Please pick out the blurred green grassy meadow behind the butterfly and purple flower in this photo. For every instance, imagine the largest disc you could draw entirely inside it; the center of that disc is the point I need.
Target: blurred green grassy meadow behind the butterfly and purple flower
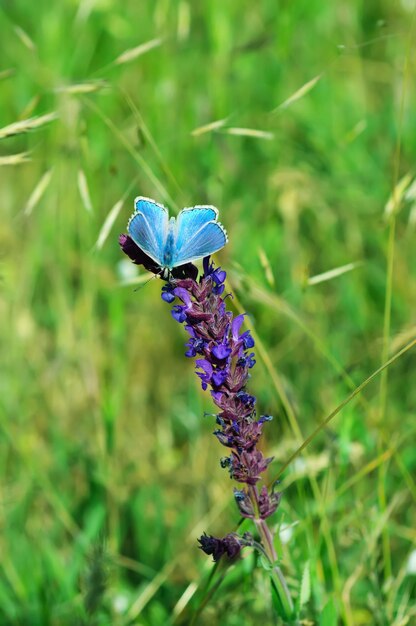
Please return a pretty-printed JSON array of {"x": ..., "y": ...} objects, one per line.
[{"x": 296, "y": 119}]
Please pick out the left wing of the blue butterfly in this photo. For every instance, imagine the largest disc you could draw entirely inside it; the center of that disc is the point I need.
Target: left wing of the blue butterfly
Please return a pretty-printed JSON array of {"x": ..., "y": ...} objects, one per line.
[{"x": 148, "y": 227}]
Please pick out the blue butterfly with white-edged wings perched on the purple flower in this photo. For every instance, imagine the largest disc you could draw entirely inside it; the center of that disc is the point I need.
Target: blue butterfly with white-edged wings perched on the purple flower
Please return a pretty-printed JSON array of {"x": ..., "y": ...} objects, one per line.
[{"x": 194, "y": 234}]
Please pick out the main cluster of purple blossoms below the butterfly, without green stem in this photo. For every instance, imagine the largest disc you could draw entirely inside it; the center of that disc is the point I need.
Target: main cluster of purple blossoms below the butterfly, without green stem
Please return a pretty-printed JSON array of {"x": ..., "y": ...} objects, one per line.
[{"x": 225, "y": 365}]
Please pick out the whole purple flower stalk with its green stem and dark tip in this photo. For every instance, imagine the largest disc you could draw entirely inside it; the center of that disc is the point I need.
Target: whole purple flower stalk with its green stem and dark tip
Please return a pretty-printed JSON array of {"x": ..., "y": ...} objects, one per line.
[{"x": 224, "y": 358}]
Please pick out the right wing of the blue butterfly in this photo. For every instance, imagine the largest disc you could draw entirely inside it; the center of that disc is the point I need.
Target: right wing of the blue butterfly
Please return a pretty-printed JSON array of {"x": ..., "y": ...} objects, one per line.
[{"x": 198, "y": 234}]
